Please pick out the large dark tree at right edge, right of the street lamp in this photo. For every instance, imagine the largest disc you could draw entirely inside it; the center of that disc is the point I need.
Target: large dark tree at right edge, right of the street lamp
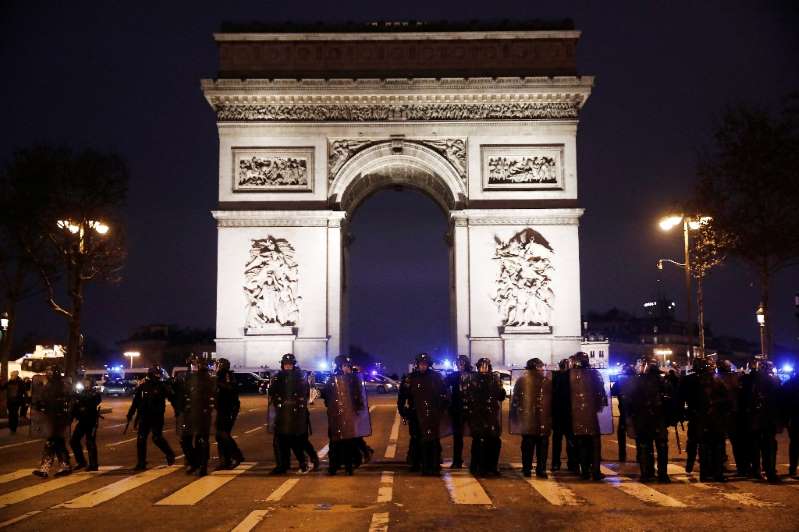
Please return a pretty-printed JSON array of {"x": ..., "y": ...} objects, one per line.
[{"x": 749, "y": 186}]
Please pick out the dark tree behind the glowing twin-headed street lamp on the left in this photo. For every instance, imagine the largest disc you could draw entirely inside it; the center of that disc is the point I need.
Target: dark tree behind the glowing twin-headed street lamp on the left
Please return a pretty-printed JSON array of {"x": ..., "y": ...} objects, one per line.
[{"x": 77, "y": 229}]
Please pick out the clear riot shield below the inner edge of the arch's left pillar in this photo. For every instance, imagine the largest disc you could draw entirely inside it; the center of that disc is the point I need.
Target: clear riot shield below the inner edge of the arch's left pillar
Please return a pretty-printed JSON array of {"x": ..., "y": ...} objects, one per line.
[{"x": 347, "y": 408}]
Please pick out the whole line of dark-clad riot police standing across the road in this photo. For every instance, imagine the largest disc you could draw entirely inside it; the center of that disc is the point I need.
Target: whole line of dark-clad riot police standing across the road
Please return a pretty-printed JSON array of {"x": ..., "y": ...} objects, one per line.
[{"x": 717, "y": 403}]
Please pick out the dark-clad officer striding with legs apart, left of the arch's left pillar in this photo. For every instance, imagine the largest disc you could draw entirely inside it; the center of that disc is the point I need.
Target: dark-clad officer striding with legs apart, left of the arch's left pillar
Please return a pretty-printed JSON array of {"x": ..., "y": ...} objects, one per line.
[{"x": 149, "y": 404}]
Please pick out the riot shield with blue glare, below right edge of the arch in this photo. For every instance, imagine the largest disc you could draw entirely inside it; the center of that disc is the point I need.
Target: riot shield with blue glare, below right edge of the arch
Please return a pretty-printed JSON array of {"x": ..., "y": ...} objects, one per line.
[{"x": 589, "y": 403}]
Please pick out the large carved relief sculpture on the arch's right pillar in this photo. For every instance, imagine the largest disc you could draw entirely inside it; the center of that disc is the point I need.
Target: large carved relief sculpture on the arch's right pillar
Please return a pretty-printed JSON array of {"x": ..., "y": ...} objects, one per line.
[{"x": 524, "y": 295}]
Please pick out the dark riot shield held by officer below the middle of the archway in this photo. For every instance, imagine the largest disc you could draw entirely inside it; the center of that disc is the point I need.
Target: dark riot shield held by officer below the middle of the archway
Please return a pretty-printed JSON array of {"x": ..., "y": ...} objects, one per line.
[{"x": 428, "y": 397}]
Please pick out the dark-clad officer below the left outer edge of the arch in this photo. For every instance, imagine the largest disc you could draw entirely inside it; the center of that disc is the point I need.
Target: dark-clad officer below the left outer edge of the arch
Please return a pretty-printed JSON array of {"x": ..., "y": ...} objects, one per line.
[{"x": 227, "y": 410}]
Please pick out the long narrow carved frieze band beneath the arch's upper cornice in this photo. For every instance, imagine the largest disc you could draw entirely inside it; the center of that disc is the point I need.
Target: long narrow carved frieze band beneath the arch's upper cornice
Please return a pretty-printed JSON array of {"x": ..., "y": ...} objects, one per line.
[{"x": 387, "y": 112}]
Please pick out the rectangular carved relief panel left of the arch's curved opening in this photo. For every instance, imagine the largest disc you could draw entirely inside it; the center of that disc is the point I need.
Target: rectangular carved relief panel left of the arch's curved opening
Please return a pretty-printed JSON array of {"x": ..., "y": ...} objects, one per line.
[{"x": 272, "y": 169}]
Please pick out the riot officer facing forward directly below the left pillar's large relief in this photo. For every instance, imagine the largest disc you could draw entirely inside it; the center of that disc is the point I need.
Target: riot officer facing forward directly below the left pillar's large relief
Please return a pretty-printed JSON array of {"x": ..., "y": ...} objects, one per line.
[{"x": 288, "y": 414}]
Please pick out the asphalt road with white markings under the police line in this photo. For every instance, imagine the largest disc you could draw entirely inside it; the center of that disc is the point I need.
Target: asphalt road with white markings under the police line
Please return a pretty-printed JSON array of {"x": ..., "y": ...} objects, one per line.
[{"x": 380, "y": 496}]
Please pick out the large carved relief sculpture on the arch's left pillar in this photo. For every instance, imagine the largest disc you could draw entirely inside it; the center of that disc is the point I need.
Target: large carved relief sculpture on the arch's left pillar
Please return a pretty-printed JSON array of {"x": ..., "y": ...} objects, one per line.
[{"x": 271, "y": 284}]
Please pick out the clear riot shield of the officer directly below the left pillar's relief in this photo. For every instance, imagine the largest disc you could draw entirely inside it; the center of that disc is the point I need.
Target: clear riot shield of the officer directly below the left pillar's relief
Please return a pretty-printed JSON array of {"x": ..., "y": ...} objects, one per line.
[{"x": 287, "y": 404}]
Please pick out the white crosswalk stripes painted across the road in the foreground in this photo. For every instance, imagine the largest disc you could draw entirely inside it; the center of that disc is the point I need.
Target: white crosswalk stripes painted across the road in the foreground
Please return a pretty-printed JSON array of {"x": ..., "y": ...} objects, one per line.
[{"x": 463, "y": 490}]
